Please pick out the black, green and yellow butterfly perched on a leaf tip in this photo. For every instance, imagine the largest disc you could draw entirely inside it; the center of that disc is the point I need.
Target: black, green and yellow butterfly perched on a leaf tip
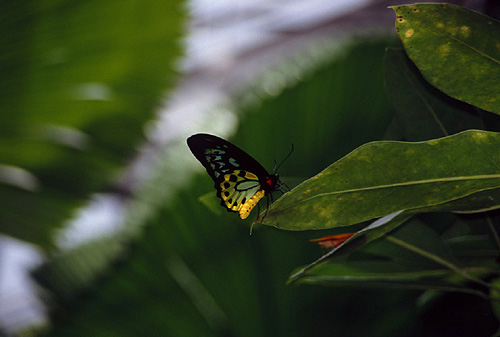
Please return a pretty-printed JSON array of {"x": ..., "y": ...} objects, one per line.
[{"x": 239, "y": 179}]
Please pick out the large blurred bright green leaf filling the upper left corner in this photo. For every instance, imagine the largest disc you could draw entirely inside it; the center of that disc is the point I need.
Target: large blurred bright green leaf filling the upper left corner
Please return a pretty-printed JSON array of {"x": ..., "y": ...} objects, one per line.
[{"x": 79, "y": 80}]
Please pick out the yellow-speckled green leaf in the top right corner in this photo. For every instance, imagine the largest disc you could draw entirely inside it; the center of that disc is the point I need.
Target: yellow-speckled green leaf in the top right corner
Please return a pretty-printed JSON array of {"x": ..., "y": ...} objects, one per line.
[{"x": 457, "y": 50}]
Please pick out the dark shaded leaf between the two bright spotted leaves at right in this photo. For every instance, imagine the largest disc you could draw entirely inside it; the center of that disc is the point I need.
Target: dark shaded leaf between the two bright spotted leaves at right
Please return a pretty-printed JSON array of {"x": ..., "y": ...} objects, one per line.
[{"x": 422, "y": 111}]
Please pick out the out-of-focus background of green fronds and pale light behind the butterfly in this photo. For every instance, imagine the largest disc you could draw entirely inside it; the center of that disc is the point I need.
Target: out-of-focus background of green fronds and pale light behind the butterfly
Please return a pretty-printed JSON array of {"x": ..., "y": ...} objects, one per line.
[{"x": 102, "y": 231}]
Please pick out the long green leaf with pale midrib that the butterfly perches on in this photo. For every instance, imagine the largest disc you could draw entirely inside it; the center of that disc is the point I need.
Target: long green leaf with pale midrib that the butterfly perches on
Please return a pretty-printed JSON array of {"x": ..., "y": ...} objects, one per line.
[{"x": 380, "y": 178}]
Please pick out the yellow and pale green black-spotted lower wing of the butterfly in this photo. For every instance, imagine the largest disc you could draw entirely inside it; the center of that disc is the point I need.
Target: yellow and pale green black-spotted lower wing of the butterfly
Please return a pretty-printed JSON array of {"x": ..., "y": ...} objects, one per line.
[{"x": 240, "y": 191}]
